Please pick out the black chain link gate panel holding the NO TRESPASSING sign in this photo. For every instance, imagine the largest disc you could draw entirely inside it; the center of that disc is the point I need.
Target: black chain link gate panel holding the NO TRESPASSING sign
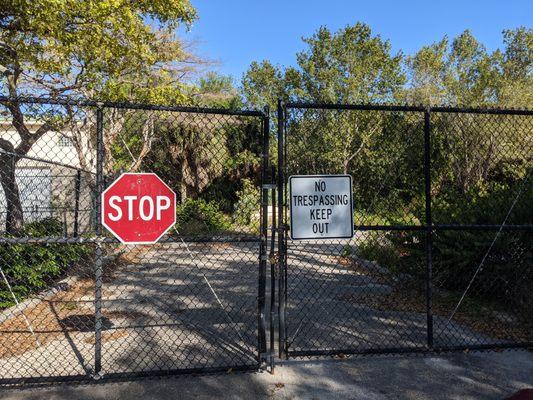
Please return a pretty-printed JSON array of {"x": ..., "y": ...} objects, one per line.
[{"x": 441, "y": 258}]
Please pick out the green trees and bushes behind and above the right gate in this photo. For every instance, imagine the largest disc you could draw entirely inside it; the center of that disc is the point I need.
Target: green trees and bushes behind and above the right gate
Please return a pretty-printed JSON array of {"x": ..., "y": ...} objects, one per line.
[{"x": 478, "y": 162}]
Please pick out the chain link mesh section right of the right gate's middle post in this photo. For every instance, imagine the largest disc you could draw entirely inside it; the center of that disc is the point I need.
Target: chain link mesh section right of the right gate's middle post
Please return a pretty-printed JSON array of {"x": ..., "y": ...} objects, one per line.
[{"x": 481, "y": 179}]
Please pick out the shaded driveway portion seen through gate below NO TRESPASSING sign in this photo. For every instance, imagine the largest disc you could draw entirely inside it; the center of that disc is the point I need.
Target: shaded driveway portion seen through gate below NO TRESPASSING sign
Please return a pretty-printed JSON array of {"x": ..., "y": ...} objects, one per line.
[{"x": 330, "y": 306}]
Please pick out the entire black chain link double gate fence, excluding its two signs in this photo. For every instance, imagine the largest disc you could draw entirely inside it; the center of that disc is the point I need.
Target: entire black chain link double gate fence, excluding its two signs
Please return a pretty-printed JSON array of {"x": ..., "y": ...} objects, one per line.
[{"x": 441, "y": 258}]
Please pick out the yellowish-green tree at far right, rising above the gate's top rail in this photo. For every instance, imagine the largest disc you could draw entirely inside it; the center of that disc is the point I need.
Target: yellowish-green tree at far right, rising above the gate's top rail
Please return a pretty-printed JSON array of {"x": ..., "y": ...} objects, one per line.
[{"x": 465, "y": 74}]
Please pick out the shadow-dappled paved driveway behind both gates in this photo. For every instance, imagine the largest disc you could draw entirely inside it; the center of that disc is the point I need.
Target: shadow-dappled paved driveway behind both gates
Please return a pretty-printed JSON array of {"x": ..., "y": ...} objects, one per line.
[{"x": 174, "y": 306}]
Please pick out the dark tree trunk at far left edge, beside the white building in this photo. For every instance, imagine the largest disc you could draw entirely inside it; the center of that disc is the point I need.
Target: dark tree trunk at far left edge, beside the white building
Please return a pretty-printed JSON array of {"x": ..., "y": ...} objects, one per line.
[{"x": 14, "y": 214}]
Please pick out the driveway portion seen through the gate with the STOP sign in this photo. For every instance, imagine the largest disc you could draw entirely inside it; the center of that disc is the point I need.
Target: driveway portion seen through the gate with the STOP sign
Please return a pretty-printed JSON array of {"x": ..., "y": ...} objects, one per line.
[{"x": 166, "y": 307}]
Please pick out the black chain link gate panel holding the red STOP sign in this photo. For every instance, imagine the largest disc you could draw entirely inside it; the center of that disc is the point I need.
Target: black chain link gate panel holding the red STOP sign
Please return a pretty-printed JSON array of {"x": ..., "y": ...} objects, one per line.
[{"x": 75, "y": 303}]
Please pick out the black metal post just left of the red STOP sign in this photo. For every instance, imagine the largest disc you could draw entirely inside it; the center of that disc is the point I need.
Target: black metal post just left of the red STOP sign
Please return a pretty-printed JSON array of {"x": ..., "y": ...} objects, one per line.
[{"x": 98, "y": 255}]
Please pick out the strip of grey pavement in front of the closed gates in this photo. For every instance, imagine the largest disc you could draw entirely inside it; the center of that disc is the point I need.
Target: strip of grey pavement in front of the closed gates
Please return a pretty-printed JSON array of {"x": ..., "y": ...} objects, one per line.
[{"x": 456, "y": 376}]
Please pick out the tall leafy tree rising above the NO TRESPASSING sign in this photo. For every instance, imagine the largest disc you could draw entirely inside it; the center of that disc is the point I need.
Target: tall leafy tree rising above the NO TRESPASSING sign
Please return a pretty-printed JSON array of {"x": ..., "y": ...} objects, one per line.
[{"x": 351, "y": 65}]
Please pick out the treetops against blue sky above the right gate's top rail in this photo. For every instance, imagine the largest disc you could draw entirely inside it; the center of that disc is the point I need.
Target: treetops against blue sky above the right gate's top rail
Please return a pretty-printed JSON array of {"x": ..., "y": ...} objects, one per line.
[{"x": 353, "y": 65}]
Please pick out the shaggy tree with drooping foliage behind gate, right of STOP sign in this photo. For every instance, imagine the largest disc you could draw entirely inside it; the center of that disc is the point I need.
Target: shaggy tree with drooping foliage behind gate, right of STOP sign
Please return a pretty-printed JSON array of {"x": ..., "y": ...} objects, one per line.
[{"x": 207, "y": 154}]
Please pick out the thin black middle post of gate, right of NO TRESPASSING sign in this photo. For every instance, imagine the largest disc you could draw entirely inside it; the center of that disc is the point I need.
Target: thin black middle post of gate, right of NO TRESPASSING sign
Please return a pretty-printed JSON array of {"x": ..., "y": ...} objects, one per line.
[{"x": 429, "y": 226}]
